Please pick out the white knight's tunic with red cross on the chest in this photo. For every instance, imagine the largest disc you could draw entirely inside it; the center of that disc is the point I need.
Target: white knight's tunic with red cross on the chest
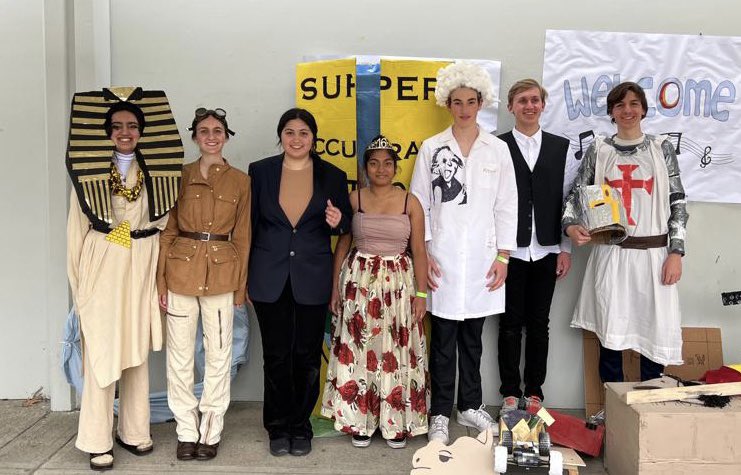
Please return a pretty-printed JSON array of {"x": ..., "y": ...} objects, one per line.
[{"x": 622, "y": 298}]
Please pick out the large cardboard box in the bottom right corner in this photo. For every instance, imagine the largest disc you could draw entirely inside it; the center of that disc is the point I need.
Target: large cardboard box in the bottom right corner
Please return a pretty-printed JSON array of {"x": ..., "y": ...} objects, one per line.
[{"x": 670, "y": 437}]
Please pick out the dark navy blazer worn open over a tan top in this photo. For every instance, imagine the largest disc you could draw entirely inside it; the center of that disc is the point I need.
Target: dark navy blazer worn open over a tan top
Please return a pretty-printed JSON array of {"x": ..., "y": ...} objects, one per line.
[{"x": 303, "y": 254}]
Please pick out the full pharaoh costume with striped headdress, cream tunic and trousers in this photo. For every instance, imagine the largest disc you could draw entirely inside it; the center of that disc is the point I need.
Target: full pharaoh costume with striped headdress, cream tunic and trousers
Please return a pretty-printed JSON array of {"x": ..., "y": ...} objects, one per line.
[{"x": 112, "y": 247}]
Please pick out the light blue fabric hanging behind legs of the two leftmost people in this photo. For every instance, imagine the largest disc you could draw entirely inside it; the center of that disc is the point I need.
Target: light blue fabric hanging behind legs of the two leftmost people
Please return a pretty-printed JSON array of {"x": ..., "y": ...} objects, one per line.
[{"x": 159, "y": 411}]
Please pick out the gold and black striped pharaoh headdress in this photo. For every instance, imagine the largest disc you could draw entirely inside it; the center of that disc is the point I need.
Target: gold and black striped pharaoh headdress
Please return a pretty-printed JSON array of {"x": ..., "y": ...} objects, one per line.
[{"x": 159, "y": 152}]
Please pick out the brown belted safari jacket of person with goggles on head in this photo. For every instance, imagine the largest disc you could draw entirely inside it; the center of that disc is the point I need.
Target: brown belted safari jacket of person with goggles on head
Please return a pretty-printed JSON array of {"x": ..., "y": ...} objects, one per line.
[{"x": 217, "y": 205}]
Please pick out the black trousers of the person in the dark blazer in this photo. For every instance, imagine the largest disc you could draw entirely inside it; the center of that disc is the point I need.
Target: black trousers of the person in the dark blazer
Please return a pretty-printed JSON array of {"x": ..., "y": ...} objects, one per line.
[{"x": 292, "y": 336}]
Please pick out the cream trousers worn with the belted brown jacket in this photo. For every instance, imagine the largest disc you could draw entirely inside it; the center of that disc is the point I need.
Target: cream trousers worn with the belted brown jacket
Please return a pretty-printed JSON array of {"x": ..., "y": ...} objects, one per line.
[{"x": 217, "y": 313}]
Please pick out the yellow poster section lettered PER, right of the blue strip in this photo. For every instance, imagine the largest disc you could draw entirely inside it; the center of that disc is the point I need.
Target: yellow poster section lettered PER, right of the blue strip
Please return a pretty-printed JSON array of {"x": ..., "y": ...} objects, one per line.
[{"x": 409, "y": 114}]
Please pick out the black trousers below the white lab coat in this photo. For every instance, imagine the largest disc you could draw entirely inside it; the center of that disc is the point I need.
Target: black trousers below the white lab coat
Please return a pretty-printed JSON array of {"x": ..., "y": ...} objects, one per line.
[{"x": 449, "y": 337}]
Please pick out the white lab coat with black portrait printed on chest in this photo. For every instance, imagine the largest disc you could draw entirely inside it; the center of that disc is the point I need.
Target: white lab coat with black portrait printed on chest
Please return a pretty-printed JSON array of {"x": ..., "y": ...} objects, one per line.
[{"x": 468, "y": 219}]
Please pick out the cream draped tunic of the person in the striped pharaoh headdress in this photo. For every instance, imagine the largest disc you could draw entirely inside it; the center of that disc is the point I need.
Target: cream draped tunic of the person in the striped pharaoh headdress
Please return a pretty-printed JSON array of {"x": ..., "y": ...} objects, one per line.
[{"x": 114, "y": 287}]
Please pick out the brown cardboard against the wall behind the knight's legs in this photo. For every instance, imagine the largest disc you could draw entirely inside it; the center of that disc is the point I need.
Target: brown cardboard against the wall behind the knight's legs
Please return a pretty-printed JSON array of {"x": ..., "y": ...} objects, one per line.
[{"x": 701, "y": 350}]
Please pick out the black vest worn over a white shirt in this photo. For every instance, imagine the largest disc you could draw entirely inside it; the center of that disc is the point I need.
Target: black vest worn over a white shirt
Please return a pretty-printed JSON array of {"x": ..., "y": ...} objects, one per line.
[{"x": 541, "y": 189}]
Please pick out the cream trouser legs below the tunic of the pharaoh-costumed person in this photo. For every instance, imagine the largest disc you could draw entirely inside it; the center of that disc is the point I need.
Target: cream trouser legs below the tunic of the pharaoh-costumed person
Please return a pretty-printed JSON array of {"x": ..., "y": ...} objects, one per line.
[{"x": 94, "y": 433}]
